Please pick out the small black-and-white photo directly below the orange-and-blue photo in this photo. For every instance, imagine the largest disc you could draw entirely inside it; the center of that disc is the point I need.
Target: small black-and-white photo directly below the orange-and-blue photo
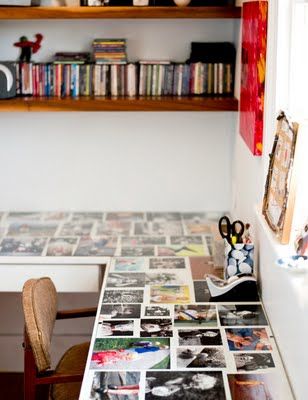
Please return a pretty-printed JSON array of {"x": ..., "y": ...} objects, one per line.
[{"x": 246, "y": 362}]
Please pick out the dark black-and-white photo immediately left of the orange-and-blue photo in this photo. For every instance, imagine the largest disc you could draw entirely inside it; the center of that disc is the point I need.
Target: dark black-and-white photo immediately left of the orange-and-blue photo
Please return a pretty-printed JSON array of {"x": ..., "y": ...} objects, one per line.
[{"x": 199, "y": 337}]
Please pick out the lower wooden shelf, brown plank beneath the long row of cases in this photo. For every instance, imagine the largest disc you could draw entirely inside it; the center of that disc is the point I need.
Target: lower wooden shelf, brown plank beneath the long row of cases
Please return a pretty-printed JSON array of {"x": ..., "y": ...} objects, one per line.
[{"x": 120, "y": 104}]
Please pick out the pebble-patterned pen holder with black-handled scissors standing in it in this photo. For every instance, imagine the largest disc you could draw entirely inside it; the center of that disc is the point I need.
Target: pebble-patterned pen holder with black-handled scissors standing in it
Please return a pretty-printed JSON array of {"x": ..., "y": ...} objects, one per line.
[{"x": 239, "y": 259}]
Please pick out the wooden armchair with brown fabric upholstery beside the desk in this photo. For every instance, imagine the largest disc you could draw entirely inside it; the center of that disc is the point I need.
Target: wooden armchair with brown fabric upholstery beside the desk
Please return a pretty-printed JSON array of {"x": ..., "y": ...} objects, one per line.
[{"x": 40, "y": 312}]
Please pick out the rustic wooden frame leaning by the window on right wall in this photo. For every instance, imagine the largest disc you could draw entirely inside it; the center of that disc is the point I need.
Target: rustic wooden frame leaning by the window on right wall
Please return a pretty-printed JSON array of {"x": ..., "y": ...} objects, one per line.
[{"x": 279, "y": 196}]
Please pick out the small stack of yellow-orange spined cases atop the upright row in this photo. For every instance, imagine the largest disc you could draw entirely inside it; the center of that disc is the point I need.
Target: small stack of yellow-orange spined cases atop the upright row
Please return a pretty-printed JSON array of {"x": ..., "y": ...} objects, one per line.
[{"x": 110, "y": 51}]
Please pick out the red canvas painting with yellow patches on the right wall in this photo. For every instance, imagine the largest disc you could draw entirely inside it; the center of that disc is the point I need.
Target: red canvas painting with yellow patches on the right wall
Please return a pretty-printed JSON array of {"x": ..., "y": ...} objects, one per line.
[{"x": 254, "y": 32}]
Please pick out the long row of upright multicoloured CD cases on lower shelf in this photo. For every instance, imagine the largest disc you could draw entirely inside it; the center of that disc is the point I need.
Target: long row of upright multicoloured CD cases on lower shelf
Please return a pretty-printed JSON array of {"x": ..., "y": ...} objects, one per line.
[{"x": 144, "y": 79}]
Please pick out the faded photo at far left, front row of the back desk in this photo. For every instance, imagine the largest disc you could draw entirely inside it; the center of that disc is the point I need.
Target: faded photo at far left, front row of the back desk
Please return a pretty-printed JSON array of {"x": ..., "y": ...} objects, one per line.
[{"x": 22, "y": 246}]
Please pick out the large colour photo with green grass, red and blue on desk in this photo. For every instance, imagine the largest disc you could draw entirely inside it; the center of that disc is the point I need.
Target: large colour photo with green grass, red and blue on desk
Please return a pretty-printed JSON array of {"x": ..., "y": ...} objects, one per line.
[{"x": 131, "y": 354}]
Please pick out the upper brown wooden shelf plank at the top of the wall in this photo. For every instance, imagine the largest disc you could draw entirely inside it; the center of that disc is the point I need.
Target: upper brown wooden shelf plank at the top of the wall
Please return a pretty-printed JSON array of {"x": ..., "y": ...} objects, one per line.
[{"x": 118, "y": 12}]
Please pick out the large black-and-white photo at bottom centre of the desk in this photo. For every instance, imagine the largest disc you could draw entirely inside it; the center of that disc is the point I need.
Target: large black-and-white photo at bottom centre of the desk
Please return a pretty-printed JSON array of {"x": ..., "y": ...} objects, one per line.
[{"x": 184, "y": 385}]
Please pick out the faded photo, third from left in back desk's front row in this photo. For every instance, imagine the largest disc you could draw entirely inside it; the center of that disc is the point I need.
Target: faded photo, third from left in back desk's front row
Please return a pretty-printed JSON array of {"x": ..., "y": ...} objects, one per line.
[{"x": 95, "y": 247}]
